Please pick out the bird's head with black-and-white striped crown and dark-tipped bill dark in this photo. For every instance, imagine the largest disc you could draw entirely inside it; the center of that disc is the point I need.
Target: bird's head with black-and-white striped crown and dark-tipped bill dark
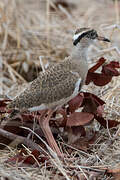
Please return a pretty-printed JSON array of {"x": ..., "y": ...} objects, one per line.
[{"x": 86, "y": 36}]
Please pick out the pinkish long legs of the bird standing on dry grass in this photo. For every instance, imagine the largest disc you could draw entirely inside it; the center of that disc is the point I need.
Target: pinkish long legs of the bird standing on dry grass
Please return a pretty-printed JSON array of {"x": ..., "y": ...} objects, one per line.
[{"x": 44, "y": 124}]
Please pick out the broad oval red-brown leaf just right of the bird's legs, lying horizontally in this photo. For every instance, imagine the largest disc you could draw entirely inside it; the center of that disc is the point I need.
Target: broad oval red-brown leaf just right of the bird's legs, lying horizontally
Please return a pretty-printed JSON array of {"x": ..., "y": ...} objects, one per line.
[{"x": 79, "y": 118}]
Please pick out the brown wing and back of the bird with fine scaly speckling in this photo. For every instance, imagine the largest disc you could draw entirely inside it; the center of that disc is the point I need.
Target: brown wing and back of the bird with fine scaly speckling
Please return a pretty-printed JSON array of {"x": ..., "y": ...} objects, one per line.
[{"x": 53, "y": 85}]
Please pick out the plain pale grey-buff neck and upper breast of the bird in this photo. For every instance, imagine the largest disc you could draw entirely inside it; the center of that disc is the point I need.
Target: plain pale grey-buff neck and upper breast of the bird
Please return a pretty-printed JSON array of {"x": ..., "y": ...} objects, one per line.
[{"x": 79, "y": 57}]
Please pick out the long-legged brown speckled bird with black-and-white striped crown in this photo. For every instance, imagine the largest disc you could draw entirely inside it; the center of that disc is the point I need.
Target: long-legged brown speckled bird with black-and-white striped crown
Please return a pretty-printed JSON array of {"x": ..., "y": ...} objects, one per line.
[{"x": 58, "y": 84}]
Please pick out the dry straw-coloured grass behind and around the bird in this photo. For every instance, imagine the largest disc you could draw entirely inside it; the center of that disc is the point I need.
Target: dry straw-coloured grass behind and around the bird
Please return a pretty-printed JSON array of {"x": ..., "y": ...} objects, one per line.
[{"x": 28, "y": 30}]
